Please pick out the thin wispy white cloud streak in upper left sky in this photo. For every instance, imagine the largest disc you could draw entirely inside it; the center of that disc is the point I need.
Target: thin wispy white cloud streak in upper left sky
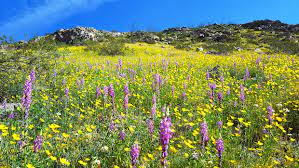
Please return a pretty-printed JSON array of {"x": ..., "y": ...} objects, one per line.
[{"x": 47, "y": 13}]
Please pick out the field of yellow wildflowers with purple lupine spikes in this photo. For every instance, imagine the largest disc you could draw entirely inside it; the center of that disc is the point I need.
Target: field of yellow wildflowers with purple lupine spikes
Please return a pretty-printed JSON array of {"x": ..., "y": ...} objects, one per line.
[{"x": 156, "y": 106}]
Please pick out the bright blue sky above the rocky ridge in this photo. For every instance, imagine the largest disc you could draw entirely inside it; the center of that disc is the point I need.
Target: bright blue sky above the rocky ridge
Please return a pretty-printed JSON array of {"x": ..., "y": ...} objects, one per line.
[{"x": 37, "y": 17}]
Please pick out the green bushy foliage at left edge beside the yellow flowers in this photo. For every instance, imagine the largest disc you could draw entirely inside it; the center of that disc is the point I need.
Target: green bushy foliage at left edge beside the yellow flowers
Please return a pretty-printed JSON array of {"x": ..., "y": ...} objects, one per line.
[{"x": 15, "y": 64}]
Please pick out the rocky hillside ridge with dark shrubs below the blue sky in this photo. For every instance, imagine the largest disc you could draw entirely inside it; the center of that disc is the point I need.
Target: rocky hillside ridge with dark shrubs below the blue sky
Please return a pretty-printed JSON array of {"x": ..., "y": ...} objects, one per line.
[{"x": 261, "y": 35}]
